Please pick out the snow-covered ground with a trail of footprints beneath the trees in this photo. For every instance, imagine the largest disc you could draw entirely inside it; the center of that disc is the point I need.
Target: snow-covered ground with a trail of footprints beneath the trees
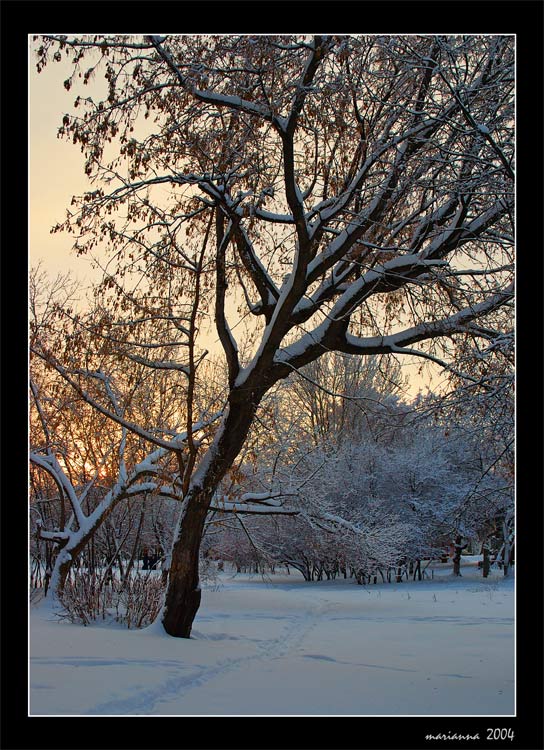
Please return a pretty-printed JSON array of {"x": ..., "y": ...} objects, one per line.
[{"x": 282, "y": 646}]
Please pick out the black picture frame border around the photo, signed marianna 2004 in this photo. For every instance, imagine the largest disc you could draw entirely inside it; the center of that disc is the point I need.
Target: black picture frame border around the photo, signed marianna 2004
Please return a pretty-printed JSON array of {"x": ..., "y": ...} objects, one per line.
[{"x": 19, "y": 18}]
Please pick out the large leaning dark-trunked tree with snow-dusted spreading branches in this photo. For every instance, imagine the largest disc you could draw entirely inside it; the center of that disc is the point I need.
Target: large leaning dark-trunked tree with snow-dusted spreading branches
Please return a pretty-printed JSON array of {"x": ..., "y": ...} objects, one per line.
[{"x": 349, "y": 194}]
